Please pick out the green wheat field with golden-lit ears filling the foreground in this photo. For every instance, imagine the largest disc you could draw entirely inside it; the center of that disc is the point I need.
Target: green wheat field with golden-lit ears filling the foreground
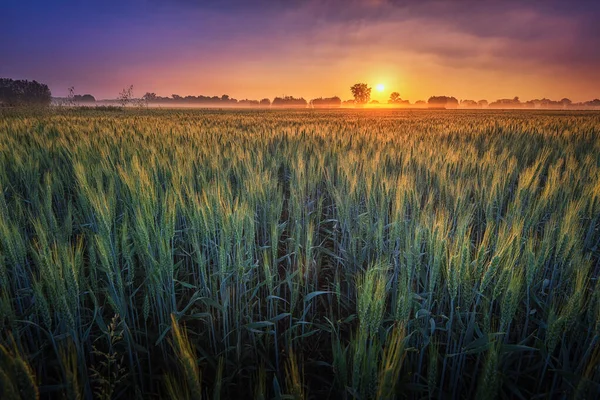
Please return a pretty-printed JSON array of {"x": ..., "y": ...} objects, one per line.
[{"x": 299, "y": 254}]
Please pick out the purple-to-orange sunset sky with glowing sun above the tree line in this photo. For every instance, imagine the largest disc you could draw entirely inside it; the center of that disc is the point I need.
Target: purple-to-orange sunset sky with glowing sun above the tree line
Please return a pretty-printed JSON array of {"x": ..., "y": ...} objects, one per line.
[{"x": 253, "y": 49}]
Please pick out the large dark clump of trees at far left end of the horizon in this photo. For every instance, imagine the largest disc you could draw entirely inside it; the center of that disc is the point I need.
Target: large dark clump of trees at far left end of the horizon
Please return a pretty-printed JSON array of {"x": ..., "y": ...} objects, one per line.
[{"x": 23, "y": 92}]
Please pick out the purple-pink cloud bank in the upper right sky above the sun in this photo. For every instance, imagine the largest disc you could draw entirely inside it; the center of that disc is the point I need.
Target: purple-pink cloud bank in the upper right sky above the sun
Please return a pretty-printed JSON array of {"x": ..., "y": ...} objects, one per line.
[{"x": 508, "y": 32}]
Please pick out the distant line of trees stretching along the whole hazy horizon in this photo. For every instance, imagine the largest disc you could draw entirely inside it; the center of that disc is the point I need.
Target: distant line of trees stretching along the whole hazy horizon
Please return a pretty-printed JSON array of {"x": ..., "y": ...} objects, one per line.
[{"x": 23, "y": 92}]
